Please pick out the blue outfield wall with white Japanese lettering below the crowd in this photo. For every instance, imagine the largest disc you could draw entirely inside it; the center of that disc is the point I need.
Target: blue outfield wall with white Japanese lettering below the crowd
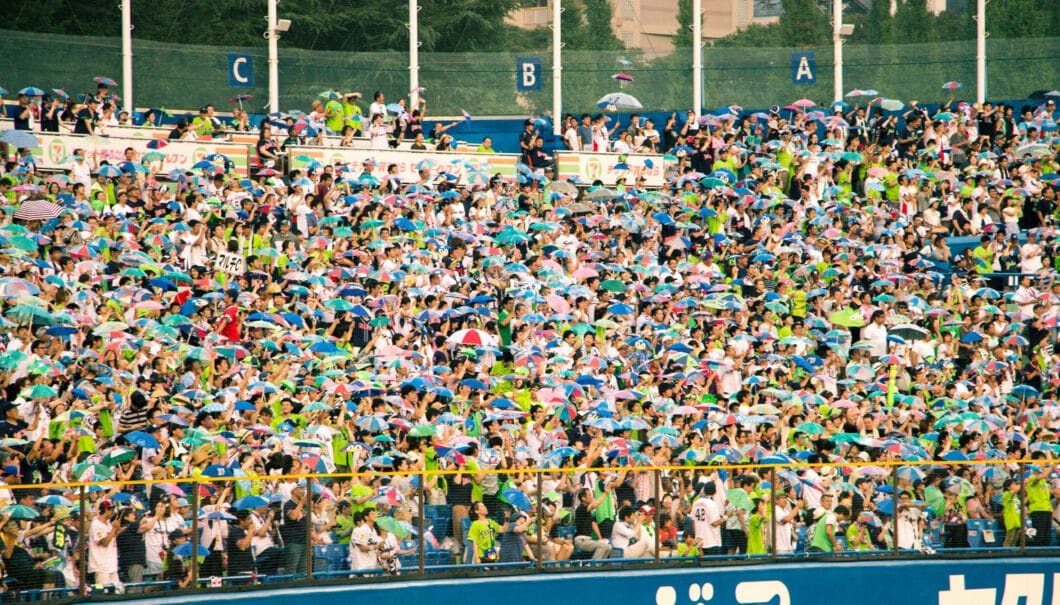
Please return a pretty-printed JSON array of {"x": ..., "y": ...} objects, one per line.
[{"x": 971, "y": 582}]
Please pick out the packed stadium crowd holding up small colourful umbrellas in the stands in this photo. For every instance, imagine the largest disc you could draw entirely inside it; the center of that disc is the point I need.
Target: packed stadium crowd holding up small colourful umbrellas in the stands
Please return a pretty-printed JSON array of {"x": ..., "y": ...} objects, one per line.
[{"x": 788, "y": 297}]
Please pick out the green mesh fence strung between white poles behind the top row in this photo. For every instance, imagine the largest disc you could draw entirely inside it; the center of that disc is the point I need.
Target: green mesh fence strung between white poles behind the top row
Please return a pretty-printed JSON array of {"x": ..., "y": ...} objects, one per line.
[{"x": 485, "y": 84}]
